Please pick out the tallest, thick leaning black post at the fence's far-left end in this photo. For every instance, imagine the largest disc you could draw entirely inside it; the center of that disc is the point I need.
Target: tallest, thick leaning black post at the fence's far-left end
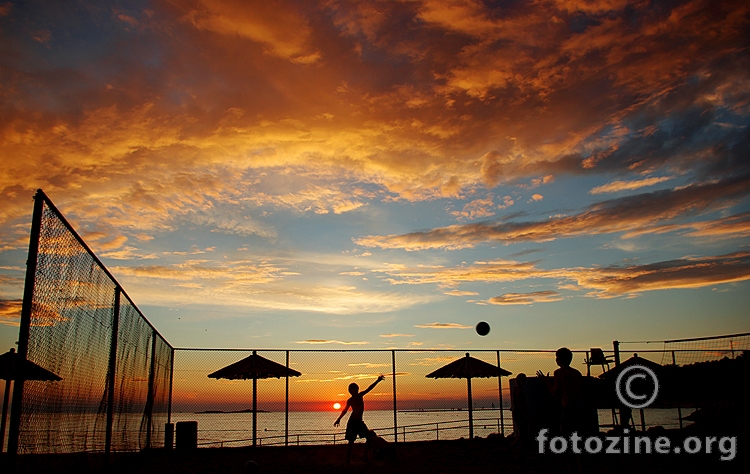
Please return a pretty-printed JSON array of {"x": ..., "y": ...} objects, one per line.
[{"x": 24, "y": 329}]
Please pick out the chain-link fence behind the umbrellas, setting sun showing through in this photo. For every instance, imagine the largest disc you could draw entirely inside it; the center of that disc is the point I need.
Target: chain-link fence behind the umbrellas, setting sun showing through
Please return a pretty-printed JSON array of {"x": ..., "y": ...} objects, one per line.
[{"x": 406, "y": 406}]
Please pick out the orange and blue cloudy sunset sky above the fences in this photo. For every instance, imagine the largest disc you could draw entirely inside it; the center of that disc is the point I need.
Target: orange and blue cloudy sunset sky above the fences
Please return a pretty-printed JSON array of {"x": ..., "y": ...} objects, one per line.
[{"x": 348, "y": 174}]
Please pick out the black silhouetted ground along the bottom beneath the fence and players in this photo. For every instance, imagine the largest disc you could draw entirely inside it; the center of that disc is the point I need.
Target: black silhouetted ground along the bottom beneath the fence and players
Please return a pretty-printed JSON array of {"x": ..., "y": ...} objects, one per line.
[{"x": 458, "y": 456}]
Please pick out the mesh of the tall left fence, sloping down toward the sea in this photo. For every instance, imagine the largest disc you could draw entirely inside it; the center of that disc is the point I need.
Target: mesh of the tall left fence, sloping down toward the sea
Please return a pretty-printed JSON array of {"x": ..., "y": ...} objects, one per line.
[{"x": 71, "y": 335}]
